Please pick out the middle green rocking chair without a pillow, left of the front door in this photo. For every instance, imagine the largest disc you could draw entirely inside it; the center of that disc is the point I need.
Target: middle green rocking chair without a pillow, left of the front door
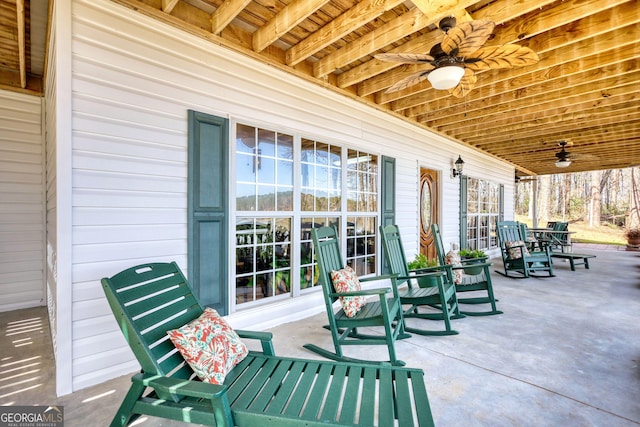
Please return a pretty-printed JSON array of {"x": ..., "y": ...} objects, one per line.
[{"x": 439, "y": 293}]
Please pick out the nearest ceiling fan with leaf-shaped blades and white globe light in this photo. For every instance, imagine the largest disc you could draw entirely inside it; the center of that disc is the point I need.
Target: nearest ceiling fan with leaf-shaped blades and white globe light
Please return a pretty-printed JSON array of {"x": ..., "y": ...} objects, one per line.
[{"x": 454, "y": 61}]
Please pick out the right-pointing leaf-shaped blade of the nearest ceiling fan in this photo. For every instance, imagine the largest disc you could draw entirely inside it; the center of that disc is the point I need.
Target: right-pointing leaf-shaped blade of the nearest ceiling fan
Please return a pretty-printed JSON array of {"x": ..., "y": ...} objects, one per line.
[{"x": 496, "y": 57}]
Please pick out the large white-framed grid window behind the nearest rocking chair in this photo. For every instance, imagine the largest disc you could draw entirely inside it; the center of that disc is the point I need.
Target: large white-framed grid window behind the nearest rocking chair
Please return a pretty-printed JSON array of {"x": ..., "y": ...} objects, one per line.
[{"x": 271, "y": 202}]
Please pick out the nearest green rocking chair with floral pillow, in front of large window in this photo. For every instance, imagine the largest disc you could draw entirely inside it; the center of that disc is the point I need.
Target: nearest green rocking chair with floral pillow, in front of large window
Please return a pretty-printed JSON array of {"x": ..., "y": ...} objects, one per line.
[{"x": 384, "y": 311}]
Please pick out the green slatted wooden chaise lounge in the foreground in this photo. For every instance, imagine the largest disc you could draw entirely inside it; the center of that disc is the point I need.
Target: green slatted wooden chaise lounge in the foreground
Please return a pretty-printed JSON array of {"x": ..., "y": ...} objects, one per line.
[{"x": 263, "y": 389}]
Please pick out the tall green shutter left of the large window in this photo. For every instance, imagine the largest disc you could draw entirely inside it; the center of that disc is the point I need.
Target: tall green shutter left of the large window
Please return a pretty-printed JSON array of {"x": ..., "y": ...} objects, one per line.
[{"x": 208, "y": 209}]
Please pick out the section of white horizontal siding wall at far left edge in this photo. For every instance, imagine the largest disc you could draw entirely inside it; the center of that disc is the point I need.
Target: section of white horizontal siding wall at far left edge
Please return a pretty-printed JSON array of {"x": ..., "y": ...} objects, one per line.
[{"x": 21, "y": 202}]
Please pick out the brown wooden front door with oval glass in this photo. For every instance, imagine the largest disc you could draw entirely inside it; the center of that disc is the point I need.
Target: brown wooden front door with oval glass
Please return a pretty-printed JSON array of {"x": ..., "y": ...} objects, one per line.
[{"x": 428, "y": 210}]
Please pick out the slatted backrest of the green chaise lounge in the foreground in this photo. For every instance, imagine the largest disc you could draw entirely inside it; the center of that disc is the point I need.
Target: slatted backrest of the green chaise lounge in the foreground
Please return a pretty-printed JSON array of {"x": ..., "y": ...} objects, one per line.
[{"x": 147, "y": 301}]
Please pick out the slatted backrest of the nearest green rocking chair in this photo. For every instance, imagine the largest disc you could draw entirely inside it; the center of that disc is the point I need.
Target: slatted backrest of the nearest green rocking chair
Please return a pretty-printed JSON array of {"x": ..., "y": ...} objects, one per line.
[{"x": 327, "y": 249}]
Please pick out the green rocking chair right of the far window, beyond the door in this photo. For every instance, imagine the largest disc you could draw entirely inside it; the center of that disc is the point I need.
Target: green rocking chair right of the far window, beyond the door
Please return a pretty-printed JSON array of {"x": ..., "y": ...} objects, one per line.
[{"x": 515, "y": 255}]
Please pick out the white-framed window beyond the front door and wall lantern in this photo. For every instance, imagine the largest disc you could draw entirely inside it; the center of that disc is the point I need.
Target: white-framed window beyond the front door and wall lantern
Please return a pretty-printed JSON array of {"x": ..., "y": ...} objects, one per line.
[{"x": 483, "y": 212}]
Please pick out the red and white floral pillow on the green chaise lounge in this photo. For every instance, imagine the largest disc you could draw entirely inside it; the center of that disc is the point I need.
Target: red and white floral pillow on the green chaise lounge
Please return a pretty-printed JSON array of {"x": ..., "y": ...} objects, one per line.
[{"x": 210, "y": 346}]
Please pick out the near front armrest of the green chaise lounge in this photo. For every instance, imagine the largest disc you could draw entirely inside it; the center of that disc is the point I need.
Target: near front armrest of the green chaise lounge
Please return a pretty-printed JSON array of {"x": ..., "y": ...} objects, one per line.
[{"x": 179, "y": 388}]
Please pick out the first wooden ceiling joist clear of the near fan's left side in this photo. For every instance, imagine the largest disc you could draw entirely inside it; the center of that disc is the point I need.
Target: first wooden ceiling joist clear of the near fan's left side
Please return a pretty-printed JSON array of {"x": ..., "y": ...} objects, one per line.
[{"x": 354, "y": 18}]
